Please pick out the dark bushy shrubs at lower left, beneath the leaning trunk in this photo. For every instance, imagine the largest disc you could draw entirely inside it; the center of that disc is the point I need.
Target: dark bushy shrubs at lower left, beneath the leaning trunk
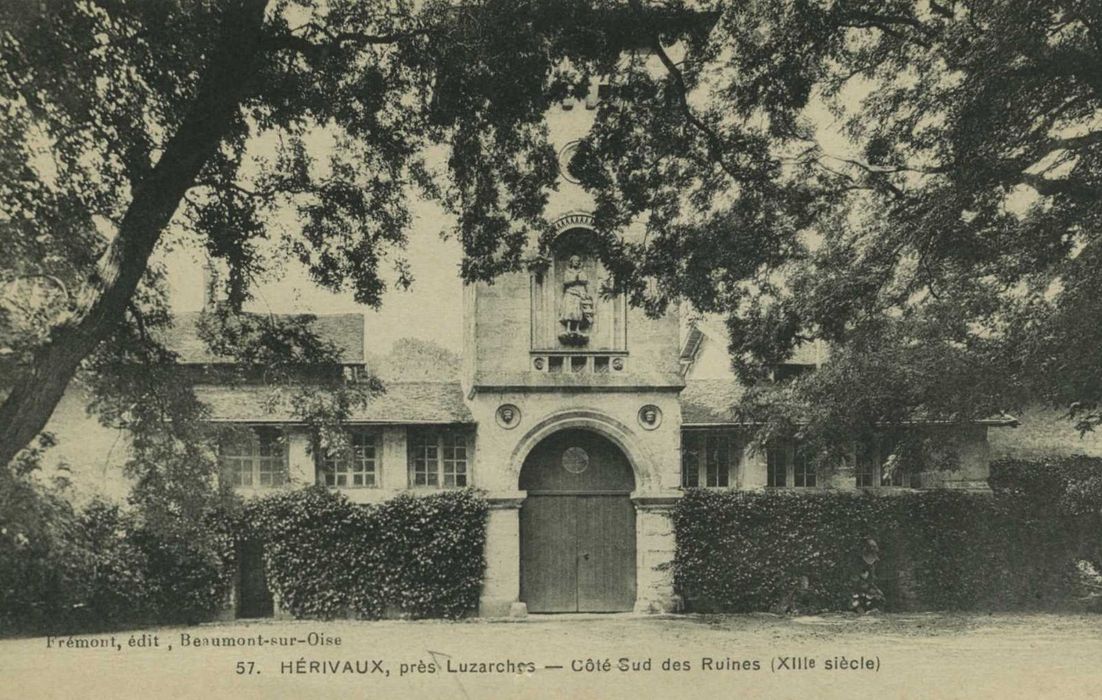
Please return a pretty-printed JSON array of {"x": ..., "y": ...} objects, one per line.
[{"x": 102, "y": 568}]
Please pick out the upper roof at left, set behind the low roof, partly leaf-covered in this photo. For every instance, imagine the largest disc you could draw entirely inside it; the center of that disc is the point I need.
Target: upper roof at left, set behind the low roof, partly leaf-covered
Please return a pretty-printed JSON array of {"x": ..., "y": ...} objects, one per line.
[{"x": 344, "y": 330}]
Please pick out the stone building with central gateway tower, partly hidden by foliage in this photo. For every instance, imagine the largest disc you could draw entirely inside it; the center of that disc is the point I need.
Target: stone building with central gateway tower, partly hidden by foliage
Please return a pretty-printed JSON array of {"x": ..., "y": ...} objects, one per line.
[{"x": 582, "y": 421}]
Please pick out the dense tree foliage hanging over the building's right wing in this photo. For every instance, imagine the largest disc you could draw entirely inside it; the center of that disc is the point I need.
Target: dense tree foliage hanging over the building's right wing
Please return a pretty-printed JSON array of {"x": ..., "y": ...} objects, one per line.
[{"x": 915, "y": 184}]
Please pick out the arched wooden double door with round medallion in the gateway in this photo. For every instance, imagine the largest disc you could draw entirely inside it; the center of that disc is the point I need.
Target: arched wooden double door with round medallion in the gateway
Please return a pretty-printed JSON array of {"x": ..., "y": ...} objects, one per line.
[{"x": 577, "y": 526}]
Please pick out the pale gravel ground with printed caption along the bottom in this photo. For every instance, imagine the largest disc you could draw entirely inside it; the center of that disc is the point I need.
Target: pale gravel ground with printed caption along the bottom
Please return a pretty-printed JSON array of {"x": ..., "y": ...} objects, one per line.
[{"x": 898, "y": 656}]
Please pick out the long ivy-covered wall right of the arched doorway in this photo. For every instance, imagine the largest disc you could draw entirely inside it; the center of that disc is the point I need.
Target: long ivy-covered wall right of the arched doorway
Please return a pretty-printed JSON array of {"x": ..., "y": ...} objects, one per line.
[{"x": 1028, "y": 546}]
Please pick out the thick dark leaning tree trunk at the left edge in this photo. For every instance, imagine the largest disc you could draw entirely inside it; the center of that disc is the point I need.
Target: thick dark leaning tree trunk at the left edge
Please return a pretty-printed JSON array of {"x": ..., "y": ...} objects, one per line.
[{"x": 38, "y": 391}]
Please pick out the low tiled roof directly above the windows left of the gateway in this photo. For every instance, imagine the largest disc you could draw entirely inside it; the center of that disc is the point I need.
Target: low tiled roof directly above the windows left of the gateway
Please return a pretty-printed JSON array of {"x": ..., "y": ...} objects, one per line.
[{"x": 403, "y": 403}]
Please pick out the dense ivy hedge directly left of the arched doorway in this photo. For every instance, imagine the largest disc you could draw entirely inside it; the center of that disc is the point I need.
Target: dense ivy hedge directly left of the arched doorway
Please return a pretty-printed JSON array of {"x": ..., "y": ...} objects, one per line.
[{"x": 329, "y": 558}]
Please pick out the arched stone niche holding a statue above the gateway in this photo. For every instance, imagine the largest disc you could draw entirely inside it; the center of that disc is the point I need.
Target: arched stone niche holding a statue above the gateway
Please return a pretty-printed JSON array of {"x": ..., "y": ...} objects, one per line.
[{"x": 570, "y": 313}]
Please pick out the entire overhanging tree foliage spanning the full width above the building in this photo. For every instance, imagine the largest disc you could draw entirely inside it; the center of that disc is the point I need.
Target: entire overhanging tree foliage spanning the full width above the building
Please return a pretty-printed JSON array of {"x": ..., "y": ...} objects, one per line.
[{"x": 914, "y": 182}]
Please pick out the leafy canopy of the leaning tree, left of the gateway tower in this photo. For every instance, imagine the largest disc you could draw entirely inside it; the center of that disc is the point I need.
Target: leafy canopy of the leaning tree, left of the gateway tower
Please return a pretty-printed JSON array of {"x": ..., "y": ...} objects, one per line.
[{"x": 136, "y": 126}]
